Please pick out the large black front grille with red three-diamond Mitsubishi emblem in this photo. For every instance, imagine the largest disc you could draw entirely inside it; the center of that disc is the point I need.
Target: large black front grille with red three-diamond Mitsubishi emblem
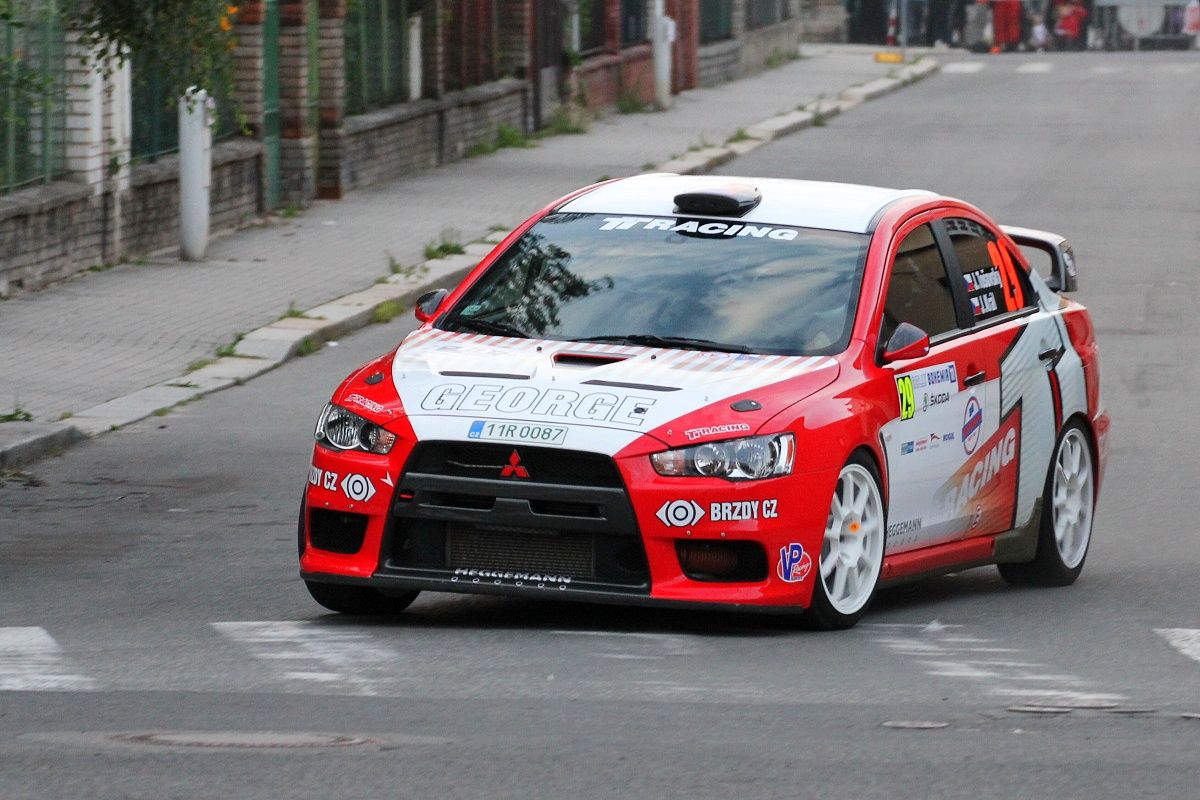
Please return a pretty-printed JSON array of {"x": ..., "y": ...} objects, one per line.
[{"x": 572, "y": 519}]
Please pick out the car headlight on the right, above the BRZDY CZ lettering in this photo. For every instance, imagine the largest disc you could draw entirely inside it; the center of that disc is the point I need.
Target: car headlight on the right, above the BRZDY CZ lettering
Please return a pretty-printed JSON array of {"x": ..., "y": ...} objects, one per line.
[{"x": 737, "y": 460}]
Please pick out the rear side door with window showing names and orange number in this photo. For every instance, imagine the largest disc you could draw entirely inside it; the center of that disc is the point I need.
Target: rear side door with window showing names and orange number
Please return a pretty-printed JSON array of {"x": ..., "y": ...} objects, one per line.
[{"x": 1006, "y": 462}]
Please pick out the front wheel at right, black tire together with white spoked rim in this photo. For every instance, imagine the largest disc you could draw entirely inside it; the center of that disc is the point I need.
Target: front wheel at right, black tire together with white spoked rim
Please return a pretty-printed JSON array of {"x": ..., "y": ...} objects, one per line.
[{"x": 853, "y": 550}]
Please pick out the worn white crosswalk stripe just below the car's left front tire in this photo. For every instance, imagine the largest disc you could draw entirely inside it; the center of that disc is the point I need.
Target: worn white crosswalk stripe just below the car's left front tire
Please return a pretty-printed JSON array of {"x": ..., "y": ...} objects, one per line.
[{"x": 319, "y": 654}]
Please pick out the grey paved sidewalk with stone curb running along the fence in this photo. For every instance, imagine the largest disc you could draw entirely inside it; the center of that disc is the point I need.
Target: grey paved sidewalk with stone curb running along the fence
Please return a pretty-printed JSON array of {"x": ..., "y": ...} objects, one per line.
[{"x": 106, "y": 350}]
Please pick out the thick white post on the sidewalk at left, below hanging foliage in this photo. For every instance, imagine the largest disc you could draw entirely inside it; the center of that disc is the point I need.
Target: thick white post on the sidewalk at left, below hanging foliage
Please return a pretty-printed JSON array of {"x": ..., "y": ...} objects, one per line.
[{"x": 195, "y": 173}]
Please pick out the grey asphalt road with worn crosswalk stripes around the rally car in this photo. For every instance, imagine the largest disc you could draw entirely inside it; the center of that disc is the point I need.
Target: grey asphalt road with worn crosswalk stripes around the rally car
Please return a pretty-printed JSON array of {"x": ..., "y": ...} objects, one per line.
[{"x": 148, "y": 584}]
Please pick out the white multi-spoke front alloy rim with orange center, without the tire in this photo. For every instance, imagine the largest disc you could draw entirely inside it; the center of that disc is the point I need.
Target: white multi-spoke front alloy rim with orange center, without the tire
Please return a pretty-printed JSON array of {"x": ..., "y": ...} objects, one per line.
[{"x": 853, "y": 551}]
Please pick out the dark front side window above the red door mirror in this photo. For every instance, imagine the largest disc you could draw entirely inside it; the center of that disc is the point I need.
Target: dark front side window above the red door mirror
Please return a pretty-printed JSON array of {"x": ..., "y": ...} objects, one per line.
[{"x": 920, "y": 292}]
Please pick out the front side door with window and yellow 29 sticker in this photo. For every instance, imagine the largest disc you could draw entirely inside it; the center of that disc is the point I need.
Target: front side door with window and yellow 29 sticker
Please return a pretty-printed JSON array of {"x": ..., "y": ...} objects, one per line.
[{"x": 939, "y": 395}]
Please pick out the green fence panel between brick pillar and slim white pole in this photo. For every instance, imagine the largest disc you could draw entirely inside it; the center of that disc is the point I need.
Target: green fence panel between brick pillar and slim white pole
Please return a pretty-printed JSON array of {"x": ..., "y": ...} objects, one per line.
[{"x": 376, "y": 55}]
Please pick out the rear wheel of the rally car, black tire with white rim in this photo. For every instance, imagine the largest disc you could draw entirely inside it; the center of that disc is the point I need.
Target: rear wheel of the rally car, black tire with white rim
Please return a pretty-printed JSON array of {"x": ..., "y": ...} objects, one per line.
[{"x": 1069, "y": 503}]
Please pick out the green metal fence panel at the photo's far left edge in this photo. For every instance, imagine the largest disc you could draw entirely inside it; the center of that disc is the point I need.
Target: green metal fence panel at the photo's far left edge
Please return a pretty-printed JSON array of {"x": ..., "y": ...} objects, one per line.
[{"x": 33, "y": 111}]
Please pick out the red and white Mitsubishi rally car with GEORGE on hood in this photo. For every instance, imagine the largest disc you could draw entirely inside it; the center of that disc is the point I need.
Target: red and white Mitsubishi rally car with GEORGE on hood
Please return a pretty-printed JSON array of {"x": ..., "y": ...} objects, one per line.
[{"x": 721, "y": 392}]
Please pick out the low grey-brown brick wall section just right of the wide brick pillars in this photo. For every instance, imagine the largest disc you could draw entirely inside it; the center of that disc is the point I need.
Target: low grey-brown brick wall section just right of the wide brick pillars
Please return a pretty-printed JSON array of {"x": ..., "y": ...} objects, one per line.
[{"x": 398, "y": 141}]
